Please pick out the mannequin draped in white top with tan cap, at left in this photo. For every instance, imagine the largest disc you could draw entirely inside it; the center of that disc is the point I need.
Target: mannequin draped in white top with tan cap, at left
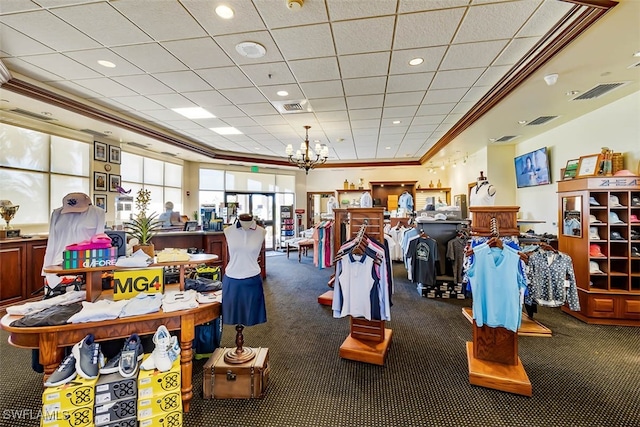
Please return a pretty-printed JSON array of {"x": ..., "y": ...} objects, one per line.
[{"x": 76, "y": 221}]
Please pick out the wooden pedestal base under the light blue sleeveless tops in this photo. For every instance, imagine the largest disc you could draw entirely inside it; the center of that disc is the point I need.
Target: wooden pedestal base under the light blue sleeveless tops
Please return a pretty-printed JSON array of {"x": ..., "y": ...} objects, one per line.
[{"x": 494, "y": 363}]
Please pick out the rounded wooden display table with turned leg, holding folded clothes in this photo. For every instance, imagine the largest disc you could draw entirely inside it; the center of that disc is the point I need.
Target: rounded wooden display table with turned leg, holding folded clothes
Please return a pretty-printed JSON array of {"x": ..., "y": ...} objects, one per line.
[{"x": 51, "y": 340}]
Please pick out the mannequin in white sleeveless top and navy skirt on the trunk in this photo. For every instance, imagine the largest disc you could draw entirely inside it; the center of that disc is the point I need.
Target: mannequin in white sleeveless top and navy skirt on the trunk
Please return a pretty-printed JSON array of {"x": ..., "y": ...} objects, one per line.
[{"x": 243, "y": 301}]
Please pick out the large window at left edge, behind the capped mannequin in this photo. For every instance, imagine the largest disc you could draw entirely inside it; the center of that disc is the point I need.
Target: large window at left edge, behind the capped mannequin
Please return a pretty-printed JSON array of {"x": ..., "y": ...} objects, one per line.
[{"x": 37, "y": 170}]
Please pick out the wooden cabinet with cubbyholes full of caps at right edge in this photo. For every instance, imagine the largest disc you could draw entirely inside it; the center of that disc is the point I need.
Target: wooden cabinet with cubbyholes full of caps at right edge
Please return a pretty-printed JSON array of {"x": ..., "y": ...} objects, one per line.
[{"x": 601, "y": 233}]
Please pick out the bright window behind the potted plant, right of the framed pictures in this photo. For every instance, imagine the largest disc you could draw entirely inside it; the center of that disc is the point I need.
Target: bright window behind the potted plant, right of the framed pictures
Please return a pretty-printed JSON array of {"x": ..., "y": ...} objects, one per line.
[{"x": 162, "y": 179}]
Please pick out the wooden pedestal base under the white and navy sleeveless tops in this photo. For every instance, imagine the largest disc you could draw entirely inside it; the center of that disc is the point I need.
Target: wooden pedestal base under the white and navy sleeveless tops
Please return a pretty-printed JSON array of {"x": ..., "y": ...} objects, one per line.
[{"x": 368, "y": 342}]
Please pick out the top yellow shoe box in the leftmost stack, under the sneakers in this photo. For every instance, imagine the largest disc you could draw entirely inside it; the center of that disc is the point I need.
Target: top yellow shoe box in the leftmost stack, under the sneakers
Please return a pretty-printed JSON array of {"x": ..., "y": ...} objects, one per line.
[{"x": 74, "y": 394}]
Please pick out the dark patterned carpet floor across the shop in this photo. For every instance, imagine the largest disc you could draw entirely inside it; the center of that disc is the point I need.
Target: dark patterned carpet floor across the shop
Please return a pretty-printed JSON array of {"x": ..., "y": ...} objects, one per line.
[{"x": 585, "y": 375}]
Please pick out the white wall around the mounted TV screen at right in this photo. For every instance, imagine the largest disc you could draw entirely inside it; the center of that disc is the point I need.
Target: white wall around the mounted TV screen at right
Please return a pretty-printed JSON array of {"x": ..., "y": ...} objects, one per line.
[{"x": 616, "y": 125}]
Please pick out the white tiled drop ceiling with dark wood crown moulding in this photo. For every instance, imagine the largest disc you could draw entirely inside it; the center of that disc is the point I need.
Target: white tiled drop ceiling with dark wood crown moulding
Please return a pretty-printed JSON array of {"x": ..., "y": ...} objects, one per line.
[{"x": 346, "y": 62}]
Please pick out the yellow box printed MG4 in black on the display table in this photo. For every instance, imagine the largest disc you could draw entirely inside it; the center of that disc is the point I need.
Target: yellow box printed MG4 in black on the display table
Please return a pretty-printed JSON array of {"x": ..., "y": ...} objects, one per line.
[{"x": 127, "y": 283}]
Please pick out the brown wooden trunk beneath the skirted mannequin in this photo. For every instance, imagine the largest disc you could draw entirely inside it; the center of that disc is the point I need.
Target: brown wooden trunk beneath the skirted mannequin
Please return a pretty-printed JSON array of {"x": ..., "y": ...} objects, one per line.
[{"x": 247, "y": 380}]
